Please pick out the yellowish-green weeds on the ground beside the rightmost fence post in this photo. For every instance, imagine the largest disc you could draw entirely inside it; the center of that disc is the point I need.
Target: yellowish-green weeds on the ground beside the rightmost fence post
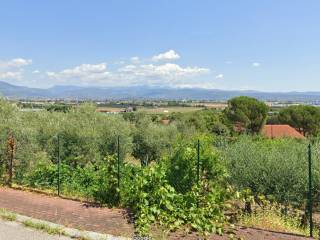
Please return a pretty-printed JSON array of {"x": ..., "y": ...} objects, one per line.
[{"x": 275, "y": 221}]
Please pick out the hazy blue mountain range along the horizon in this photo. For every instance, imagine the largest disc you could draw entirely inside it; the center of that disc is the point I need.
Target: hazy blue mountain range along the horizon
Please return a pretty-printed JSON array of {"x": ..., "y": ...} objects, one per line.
[{"x": 146, "y": 92}]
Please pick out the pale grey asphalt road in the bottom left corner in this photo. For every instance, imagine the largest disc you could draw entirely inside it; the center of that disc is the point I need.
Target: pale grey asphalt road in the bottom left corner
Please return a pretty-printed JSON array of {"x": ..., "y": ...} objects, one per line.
[{"x": 16, "y": 231}]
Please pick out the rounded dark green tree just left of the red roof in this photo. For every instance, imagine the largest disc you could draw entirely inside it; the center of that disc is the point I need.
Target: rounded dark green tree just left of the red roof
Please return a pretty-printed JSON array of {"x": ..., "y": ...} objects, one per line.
[{"x": 248, "y": 112}]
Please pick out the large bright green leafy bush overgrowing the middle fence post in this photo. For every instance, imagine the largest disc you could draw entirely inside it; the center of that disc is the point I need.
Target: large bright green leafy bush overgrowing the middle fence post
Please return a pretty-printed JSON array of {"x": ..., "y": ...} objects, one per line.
[{"x": 168, "y": 195}]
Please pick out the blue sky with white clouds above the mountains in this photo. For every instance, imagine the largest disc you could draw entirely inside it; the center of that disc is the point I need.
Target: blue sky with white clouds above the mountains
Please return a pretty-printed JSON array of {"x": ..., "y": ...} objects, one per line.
[{"x": 266, "y": 45}]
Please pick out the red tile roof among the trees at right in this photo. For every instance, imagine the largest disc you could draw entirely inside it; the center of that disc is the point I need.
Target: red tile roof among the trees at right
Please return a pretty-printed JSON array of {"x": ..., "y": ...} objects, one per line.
[{"x": 280, "y": 131}]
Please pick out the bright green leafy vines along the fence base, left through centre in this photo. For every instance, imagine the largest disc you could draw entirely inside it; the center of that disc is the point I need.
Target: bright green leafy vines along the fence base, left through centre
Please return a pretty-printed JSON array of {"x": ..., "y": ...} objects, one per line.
[{"x": 155, "y": 194}]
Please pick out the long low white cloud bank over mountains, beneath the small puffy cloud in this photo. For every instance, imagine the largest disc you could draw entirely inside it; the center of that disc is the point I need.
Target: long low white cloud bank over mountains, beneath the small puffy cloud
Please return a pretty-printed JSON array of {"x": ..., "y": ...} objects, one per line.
[{"x": 133, "y": 74}]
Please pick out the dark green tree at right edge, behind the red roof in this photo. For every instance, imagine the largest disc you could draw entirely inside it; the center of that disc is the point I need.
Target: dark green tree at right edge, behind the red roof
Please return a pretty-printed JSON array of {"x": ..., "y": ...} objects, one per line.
[{"x": 304, "y": 118}]
